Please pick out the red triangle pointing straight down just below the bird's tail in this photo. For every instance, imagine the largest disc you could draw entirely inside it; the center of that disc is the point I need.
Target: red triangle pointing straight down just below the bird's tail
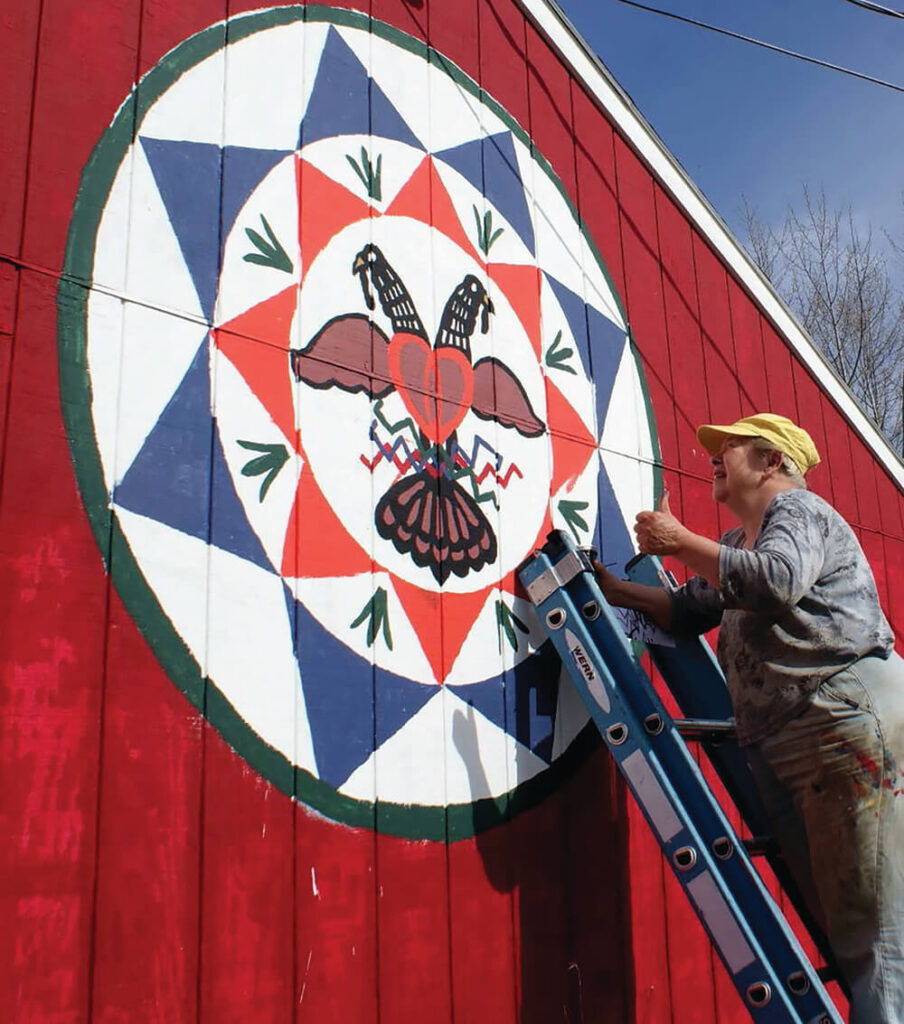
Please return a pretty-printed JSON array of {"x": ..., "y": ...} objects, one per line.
[{"x": 441, "y": 621}]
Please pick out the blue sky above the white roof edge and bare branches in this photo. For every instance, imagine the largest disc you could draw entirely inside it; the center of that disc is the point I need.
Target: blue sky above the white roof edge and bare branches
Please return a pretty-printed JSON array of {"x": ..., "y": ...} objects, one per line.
[{"x": 747, "y": 122}]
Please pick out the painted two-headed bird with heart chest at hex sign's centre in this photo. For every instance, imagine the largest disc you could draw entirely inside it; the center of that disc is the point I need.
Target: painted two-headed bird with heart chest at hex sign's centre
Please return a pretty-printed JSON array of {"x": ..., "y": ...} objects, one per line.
[{"x": 426, "y": 515}]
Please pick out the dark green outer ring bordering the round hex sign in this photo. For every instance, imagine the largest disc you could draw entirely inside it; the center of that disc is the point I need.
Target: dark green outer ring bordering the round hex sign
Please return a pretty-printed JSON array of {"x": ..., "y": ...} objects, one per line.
[{"x": 448, "y": 824}]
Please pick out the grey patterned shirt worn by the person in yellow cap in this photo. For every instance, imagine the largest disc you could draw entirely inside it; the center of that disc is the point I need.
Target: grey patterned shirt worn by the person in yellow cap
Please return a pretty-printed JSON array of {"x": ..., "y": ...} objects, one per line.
[{"x": 799, "y": 607}]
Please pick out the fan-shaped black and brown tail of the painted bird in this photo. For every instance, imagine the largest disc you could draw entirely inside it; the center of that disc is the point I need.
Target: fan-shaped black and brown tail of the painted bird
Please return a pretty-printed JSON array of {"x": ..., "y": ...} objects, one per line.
[{"x": 439, "y": 524}]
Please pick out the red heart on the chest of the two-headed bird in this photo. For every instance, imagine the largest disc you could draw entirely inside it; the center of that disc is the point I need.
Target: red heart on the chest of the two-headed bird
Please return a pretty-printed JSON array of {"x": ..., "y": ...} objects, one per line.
[{"x": 437, "y": 385}]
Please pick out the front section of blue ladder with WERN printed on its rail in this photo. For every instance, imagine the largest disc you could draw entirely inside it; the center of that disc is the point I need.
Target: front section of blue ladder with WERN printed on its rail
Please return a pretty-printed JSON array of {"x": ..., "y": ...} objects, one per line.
[{"x": 767, "y": 965}]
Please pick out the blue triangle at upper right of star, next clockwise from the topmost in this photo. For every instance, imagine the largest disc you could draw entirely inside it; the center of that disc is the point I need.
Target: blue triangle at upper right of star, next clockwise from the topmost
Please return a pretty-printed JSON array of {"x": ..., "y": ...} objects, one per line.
[{"x": 491, "y": 165}]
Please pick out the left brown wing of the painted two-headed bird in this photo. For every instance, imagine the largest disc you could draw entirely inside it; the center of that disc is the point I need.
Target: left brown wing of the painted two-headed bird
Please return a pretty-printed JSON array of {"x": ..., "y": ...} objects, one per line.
[{"x": 349, "y": 353}]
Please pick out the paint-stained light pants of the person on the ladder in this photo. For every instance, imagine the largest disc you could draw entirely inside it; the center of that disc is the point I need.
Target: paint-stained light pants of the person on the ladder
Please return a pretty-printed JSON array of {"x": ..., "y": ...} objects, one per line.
[{"x": 833, "y": 781}]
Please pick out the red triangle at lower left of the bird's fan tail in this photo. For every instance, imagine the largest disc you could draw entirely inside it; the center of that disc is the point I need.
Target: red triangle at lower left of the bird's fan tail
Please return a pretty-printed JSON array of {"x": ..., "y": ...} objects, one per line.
[{"x": 317, "y": 543}]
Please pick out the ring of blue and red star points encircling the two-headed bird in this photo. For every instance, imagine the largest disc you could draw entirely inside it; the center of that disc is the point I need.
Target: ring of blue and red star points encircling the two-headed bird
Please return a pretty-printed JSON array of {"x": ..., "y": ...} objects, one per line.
[{"x": 204, "y": 189}]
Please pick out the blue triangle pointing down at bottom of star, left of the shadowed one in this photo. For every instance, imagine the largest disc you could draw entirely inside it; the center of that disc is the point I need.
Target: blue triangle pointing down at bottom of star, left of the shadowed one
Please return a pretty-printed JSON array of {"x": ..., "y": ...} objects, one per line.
[{"x": 353, "y": 707}]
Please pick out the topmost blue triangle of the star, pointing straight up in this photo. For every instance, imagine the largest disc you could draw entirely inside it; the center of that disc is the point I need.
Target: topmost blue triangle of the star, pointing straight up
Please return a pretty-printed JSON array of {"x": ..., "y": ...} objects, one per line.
[{"x": 346, "y": 101}]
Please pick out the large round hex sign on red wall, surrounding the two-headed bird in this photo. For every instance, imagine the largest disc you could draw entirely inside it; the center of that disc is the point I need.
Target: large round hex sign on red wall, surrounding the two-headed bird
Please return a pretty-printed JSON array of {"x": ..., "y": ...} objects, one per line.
[{"x": 179, "y": 316}]
